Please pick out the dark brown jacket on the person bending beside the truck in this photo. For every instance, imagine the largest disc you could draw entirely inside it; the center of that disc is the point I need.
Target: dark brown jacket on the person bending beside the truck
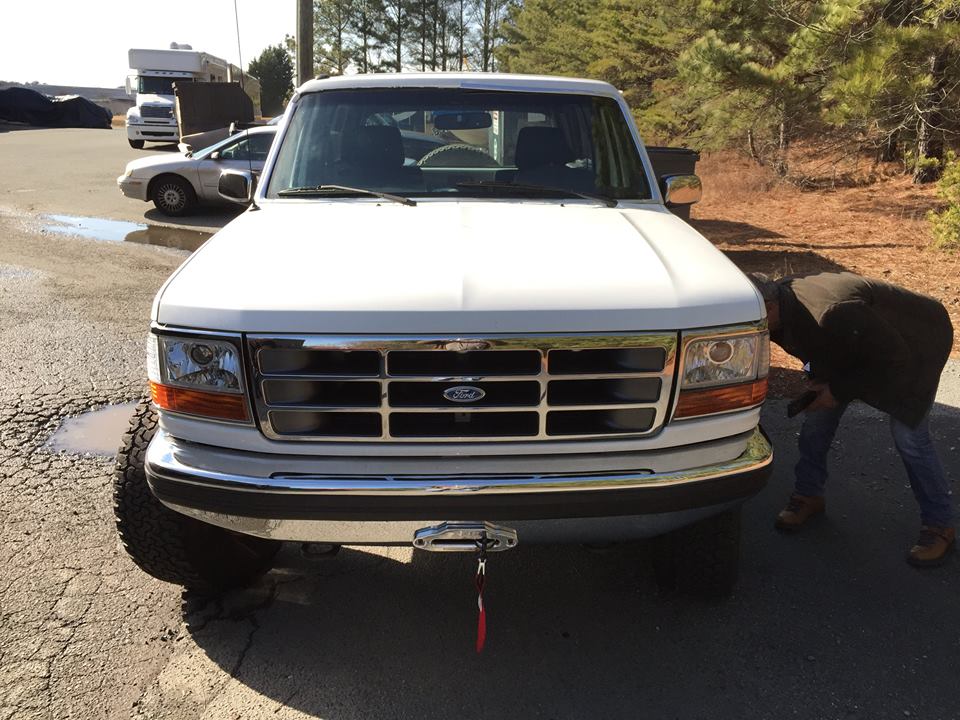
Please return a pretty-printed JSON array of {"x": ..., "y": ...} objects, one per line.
[{"x": 869, "y": 340}]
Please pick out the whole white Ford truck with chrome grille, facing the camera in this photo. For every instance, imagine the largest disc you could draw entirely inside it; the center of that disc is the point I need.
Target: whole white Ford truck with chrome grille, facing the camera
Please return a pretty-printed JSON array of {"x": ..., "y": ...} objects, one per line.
[{"x": 459, "y": 314}]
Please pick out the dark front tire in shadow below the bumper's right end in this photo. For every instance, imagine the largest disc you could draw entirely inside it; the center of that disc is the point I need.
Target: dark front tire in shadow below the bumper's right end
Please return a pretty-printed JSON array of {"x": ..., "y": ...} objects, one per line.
[{"x": 702, "y": 559}]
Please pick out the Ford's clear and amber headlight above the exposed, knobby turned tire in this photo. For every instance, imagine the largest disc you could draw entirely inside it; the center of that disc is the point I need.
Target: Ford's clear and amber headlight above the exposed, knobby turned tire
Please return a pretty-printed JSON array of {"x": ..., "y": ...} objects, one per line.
[{"x": 197, "y": 376}]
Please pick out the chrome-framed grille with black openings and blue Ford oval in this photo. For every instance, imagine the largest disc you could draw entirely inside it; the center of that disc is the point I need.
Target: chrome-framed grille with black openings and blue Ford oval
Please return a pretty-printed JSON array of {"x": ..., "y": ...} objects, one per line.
[{"x": 438, "y": 389}]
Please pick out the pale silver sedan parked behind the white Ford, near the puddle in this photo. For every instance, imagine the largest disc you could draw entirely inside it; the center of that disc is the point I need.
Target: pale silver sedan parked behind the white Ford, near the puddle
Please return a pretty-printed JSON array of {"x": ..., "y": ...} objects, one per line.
[{"x": 177, "y": 184}]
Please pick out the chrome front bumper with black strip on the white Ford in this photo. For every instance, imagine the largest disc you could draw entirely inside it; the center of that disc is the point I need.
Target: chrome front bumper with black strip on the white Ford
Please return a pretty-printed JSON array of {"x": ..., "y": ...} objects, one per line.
[{"x": 385, "y": 510}]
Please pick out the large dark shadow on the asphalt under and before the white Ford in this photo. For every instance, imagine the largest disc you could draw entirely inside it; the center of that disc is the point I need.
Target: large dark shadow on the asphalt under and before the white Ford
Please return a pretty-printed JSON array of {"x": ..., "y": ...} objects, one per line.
[{"x": 827, "y": 623}]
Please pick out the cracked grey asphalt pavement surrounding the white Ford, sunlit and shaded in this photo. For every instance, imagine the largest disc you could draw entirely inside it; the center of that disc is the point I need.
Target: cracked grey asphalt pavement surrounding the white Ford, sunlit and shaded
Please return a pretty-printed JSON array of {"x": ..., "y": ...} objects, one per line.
[{"x": 827, "y": 624}]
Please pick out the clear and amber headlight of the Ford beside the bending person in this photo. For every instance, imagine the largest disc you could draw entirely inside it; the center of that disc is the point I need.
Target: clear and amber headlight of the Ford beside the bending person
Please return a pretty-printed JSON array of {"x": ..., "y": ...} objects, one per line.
[{"x": 723, "y": 372}]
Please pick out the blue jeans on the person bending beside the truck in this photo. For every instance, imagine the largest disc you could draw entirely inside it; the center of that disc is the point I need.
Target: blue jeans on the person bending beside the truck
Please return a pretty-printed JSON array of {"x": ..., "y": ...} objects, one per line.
[{"x": 927, "y": 479}]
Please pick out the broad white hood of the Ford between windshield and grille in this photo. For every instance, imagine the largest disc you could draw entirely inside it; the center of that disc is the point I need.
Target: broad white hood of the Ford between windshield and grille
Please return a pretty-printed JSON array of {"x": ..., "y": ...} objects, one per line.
[{"x": 452, "y": 268}]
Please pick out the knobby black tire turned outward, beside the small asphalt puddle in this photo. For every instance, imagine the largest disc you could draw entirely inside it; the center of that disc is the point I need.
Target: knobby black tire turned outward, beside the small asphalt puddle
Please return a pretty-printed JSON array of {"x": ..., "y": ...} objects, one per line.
[{"x": 170, "y": 546}]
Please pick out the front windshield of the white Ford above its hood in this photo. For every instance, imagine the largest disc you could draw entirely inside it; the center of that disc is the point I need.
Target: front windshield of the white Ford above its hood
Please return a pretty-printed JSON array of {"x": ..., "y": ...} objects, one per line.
[{"x": 460, "y": 143}]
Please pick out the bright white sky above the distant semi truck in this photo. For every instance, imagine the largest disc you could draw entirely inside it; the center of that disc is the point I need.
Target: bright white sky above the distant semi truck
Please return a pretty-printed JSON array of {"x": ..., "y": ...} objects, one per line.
[{"x": 72, "y": 42}]
